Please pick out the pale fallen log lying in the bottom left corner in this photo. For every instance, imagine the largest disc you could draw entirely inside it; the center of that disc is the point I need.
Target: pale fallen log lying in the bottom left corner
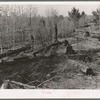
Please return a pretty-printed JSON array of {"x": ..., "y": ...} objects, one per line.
[{"x": 15, "y": 85}]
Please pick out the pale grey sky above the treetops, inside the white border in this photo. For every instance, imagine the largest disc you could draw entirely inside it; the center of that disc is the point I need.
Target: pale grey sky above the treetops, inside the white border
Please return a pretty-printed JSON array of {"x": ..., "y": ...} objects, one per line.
[{"x": 63, "y": 9}]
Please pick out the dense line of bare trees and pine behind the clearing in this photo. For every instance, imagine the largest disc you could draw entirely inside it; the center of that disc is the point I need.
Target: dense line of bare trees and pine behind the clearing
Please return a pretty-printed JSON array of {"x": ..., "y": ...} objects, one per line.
[{"x": 19, "y": 22}]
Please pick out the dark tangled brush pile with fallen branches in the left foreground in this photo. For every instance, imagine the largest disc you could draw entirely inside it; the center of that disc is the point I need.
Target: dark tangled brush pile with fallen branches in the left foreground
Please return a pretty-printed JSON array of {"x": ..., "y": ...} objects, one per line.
[{"x": 31, "y": 72}]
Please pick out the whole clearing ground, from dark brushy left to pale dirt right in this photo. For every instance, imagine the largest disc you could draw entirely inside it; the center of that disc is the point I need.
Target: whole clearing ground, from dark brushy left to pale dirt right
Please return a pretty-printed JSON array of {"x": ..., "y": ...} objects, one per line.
[{"x": 58, "y": 72}]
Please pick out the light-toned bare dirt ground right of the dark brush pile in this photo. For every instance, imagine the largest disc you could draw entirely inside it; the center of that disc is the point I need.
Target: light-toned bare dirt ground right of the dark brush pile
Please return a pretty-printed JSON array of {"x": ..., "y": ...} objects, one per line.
[{"x": 71, "y": 77}]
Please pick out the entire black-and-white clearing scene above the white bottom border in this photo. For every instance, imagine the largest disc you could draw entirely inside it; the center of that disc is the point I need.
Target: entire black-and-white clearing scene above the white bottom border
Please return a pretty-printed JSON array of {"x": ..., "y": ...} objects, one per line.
[{"x": 50, "y": 45}]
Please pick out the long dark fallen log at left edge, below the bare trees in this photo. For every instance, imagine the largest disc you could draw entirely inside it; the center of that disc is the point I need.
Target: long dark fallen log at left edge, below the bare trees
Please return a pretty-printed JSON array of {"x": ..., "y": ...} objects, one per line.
[{"x": 17, "y": 51}]
